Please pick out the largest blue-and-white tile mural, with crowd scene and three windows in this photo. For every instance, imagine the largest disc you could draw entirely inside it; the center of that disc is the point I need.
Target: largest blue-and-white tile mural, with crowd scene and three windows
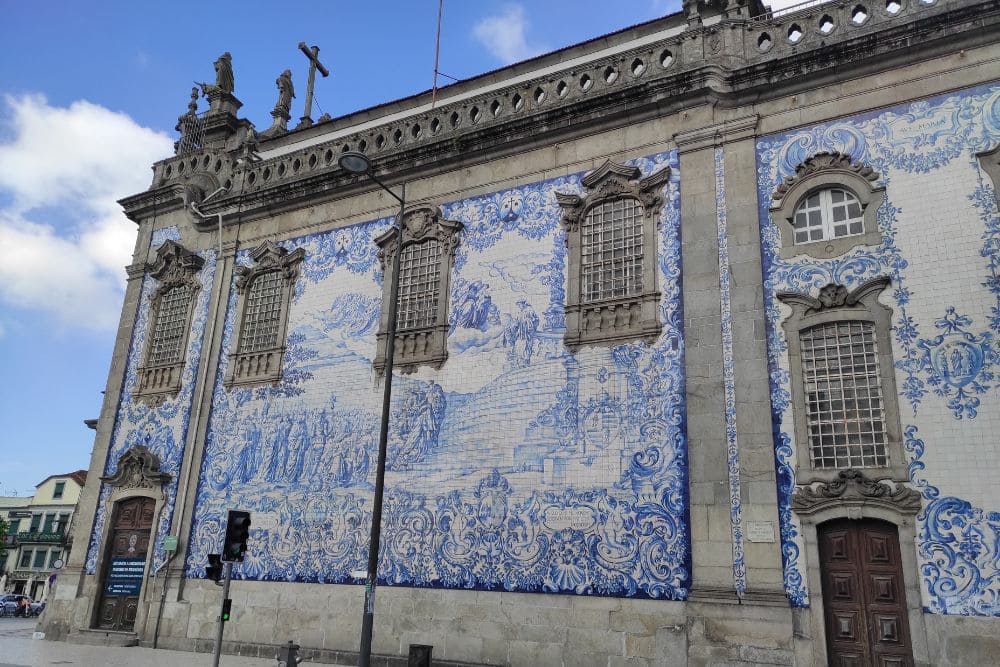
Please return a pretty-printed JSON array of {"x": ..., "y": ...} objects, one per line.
[{"x": 516, "y": 466}]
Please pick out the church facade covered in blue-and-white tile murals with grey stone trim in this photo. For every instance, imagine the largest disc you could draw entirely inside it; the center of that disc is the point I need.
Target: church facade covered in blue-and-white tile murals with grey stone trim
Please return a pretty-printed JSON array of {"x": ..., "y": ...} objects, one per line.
[{"x": 695, "y": 360}]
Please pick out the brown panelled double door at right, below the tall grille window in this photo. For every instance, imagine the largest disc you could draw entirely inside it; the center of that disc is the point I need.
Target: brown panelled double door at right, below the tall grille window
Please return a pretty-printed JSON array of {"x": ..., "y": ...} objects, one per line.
[{"x": 864, "y": 600}]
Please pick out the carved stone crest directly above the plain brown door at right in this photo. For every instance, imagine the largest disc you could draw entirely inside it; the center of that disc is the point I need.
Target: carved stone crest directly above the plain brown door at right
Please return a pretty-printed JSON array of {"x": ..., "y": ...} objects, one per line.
[{"x": 853, "y": 488}]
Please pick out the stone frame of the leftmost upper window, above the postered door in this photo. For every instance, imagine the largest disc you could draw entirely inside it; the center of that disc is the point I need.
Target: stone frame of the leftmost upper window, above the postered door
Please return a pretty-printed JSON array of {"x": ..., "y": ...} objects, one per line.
[{"x": 174, "y": 267}]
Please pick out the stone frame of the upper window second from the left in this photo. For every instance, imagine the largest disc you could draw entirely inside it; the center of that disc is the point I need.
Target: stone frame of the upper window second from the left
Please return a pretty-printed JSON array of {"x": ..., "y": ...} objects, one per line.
[{"x": 262, "y": 366}]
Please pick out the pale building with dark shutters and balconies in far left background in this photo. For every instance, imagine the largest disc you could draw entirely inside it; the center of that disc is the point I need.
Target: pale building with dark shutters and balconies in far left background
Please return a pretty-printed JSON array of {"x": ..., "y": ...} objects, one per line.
[{"x": 39, "y": 533}]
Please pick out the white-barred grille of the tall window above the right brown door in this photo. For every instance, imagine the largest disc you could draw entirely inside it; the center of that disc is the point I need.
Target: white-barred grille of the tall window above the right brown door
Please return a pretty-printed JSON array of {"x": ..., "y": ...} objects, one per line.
[{"x": 843, "y": 393}]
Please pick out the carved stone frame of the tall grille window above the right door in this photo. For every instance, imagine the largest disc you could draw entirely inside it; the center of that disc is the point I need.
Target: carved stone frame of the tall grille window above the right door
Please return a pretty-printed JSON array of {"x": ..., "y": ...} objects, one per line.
[{"x": 837, "y": 304}]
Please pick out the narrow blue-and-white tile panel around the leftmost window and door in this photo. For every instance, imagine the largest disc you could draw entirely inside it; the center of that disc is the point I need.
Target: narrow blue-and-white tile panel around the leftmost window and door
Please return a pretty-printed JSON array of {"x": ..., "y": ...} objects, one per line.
[{"x": 162, "y": 429}]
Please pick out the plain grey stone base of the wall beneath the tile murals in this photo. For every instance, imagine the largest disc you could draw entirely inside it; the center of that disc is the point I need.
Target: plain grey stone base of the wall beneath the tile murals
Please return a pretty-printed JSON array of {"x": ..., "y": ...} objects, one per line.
[{"x": 469, "y": 628}]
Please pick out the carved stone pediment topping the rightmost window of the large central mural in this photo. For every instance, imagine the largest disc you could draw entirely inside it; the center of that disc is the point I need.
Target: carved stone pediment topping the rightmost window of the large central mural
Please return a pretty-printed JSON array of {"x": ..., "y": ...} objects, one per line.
[{"x": 612, "y": 181}]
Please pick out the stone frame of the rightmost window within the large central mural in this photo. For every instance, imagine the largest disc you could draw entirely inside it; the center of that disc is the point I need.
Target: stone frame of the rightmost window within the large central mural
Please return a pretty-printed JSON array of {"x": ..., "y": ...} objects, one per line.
[{"x": 612, "y": 321}]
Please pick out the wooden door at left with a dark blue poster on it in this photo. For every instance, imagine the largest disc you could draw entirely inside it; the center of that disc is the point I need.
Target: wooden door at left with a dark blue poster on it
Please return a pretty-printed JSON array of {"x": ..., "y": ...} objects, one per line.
[{"x": 125, "y": 564}]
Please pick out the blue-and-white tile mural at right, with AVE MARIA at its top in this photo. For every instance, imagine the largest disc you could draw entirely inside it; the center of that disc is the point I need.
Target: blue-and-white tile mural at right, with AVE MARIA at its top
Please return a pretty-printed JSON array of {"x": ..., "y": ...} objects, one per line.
[{"x": 940, "y": 248}]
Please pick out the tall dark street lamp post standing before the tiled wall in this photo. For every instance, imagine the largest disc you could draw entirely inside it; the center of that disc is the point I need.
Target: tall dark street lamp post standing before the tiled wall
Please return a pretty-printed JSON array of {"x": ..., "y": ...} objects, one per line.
[{"x": 358, "y": 163}]
